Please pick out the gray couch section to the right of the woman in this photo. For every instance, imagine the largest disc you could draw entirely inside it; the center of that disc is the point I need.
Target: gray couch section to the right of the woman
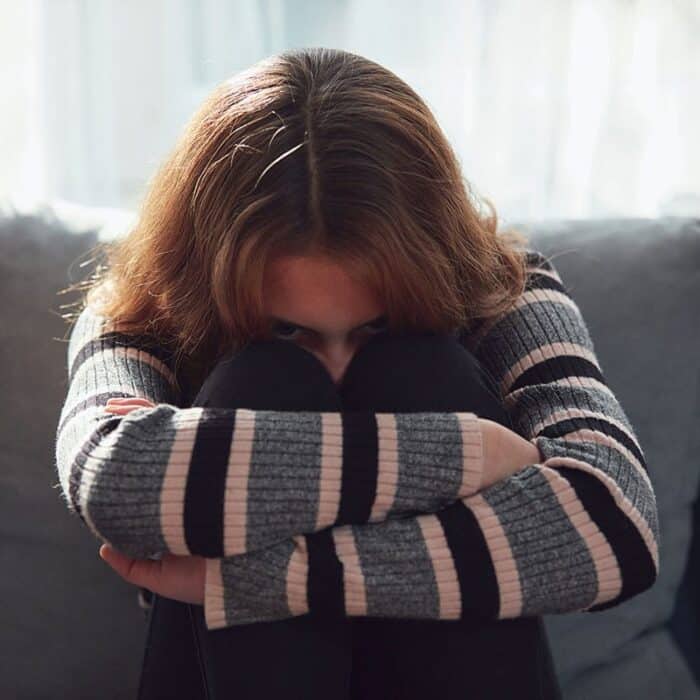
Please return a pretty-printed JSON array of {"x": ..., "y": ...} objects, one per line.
[{"x": 637, "y": 283}]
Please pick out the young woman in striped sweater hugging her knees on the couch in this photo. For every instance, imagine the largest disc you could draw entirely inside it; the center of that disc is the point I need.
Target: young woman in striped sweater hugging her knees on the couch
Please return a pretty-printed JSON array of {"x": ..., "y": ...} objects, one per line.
[{"x": 355, "y": 440}]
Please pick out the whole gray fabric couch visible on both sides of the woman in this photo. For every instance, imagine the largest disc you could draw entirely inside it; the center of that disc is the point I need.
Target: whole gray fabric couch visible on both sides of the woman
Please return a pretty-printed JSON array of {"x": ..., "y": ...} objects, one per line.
[{"x": 72, "y": 628}]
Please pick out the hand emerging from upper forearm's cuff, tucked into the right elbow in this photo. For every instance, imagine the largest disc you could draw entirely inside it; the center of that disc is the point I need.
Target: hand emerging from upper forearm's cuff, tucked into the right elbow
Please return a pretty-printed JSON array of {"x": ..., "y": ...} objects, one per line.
[{"x": 505, "y": 452}]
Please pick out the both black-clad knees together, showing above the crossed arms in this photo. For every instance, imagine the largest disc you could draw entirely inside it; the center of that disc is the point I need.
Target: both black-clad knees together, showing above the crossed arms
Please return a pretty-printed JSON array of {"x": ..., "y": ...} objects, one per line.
[{"x": 390, "y": 373}]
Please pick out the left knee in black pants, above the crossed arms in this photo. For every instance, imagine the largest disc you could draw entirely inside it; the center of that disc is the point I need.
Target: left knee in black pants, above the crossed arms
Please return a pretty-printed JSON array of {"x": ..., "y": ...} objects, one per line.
[{"x": 270, "y": 374}]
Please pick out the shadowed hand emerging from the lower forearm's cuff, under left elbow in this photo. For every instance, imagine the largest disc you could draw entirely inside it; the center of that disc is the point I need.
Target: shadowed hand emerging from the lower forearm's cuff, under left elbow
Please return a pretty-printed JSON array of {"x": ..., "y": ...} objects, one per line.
[{"x": 177, "y": 577}]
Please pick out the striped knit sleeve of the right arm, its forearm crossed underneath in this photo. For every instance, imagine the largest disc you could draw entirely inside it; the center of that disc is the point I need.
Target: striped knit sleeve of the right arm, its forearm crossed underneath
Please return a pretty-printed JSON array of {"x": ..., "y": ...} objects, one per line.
[{"x": 577, "y": 531}]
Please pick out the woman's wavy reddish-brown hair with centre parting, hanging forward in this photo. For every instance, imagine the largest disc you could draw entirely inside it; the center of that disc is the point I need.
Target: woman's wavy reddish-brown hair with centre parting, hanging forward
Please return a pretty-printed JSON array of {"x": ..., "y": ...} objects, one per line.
[{"x": 311, "y": 151}]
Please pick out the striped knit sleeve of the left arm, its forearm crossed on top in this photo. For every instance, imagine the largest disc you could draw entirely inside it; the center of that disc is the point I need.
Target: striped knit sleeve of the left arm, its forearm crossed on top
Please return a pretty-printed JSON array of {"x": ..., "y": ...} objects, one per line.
[{"x": 216, "y": 481}]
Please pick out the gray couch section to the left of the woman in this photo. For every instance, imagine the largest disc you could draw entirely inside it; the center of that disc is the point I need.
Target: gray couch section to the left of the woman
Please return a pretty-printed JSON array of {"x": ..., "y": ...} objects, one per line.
[{"x": 71, "y": 628}]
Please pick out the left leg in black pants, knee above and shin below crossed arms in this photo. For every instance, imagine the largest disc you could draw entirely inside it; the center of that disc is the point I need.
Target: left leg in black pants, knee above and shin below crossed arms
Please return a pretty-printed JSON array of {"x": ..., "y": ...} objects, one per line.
[{"x": 304, "y": 656}]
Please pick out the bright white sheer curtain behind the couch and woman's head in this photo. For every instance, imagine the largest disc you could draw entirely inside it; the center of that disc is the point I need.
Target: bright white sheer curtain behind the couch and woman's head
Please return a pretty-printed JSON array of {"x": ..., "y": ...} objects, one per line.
[{"x": 556, "y": 108}]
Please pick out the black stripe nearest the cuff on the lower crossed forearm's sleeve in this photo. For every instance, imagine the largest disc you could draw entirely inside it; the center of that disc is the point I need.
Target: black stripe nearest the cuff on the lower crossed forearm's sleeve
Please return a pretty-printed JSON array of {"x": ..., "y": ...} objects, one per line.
[{"x": 325, "y": 585}]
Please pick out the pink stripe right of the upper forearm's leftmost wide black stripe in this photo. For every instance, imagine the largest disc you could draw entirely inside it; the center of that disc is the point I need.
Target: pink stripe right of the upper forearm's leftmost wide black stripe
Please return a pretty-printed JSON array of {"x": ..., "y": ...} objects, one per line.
[{"x": 236, "y": 492}]
